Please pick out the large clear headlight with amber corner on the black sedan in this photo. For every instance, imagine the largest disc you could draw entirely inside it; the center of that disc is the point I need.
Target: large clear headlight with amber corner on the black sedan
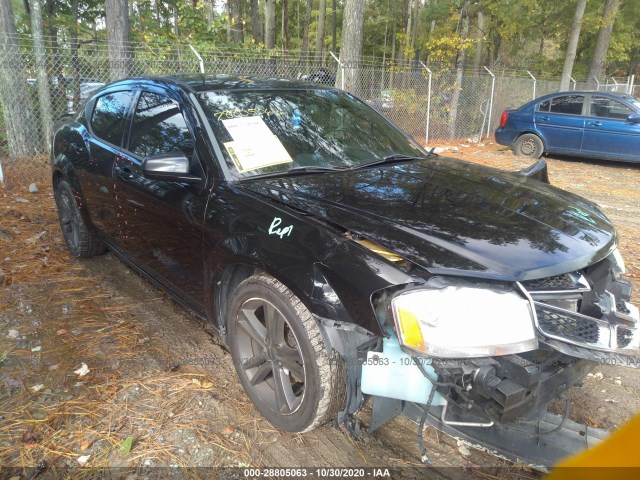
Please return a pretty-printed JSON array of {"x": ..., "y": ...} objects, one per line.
[{"x": 457, "y": 321}]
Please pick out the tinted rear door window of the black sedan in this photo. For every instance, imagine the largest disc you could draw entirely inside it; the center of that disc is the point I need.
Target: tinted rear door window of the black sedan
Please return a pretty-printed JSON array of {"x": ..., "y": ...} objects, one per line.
[{"x": 107, "y": 121}]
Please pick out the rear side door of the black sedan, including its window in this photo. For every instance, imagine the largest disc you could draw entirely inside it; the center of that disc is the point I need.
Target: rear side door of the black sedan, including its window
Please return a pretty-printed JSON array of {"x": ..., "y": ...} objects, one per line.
[{"x": 107, "y": 119}]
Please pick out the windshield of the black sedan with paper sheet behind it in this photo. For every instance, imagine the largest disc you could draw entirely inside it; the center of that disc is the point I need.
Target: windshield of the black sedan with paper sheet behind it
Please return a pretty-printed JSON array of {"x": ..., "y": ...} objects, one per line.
[{"x": 267, "y": 131}]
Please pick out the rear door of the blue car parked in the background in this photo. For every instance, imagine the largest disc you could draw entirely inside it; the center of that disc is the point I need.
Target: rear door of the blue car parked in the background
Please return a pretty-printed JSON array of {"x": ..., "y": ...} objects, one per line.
[{"x": 561, "y": 123}]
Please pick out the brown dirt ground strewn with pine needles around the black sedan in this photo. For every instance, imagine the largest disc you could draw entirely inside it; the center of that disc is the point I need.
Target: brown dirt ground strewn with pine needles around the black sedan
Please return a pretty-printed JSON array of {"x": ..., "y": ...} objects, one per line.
[{"x": 160, "y": 391}]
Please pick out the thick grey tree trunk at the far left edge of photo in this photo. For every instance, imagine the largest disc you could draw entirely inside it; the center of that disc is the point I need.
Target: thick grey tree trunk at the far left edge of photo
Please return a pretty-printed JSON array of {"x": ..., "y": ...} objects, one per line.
[{"x": 14, "y": 92}]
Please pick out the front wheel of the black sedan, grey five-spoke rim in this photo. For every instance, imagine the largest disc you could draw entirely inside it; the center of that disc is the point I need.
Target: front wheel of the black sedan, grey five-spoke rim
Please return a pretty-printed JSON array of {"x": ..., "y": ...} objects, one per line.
[{"x": 280, "y": 357}]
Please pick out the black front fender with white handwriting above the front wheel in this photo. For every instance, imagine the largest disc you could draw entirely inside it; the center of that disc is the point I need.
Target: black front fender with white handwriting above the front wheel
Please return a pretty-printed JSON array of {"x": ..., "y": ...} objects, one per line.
[{"x": 332, "y": 275}]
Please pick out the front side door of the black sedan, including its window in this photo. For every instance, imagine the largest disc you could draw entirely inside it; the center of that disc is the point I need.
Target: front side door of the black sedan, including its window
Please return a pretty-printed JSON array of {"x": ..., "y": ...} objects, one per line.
[{"x": 162, "y": 219}]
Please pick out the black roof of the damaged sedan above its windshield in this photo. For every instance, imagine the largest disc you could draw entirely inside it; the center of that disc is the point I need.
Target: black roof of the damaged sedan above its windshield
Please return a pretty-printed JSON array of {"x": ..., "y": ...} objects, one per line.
[{"x": 206, "y": 82}]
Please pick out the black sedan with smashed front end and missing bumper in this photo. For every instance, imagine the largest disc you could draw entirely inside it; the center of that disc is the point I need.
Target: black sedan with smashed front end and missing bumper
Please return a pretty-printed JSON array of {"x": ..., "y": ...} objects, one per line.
[{"x": 339, "y": 261}]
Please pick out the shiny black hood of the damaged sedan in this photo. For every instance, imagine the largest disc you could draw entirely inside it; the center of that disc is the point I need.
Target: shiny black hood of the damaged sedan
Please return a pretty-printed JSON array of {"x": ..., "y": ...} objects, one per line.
[{"x": 455, "y": 217}]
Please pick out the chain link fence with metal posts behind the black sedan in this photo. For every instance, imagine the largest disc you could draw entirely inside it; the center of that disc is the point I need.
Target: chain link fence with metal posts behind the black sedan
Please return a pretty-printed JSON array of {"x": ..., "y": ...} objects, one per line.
[{"x": 431, "y": 105}]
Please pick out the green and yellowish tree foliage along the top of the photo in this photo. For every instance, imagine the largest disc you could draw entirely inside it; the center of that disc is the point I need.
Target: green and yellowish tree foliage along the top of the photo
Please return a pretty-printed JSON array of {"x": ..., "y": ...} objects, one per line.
[{"x": 517, "y": 34}]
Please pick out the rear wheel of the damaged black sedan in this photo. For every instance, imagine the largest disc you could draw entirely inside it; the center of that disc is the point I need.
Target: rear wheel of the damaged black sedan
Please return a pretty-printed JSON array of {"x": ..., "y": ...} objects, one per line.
[{"x": 81, "y": 241}]
